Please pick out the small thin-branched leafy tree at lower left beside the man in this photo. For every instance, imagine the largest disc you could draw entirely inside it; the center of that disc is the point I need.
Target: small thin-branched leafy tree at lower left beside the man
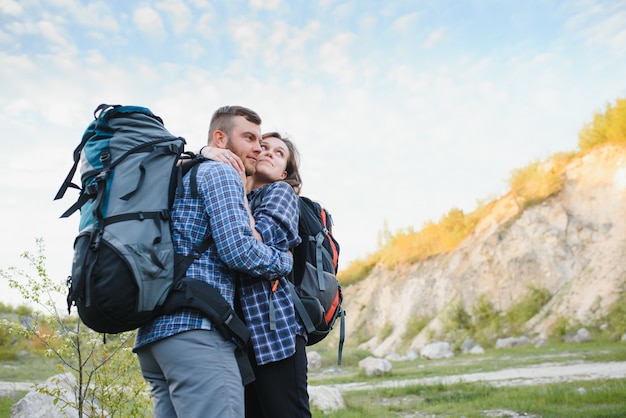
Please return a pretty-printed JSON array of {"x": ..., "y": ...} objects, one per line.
[{"x": 108, "y": 377}]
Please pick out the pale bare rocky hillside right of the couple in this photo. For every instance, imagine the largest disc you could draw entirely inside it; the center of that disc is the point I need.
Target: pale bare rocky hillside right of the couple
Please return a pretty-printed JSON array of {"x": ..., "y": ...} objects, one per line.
[{"x": 573, "y": 245}]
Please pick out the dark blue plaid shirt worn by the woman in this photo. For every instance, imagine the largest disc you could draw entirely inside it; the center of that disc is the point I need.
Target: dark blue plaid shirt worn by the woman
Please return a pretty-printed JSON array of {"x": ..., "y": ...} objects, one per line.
[{"x": 276, "y": 219}]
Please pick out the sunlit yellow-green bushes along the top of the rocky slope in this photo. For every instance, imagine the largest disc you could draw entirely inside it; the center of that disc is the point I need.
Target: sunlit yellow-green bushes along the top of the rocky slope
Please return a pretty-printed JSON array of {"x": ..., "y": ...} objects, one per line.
[{"x": 531, "y": 185}]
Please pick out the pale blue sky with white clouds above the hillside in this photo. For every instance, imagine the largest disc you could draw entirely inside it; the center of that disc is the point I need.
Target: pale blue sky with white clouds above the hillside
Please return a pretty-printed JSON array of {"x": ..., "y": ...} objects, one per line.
[{"x": 401, "y": 110}]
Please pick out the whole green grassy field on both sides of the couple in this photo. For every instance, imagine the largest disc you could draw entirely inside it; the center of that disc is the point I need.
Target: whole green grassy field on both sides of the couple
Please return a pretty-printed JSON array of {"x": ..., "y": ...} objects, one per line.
[{"x": 594, "y": 398}]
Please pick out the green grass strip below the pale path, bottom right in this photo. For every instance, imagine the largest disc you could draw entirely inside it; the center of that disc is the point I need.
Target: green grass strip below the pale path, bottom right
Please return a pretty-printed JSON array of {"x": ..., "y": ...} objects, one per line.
[{"x": 603, "y": 398}]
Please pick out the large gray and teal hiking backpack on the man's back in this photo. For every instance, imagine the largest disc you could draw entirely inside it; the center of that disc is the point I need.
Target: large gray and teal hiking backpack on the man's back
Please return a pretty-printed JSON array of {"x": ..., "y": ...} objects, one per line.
[{"x": 125, "y": 270}]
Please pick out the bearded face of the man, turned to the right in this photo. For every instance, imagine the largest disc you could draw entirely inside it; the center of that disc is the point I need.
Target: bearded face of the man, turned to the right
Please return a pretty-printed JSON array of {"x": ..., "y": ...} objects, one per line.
[{"x": 245, "y": 142}]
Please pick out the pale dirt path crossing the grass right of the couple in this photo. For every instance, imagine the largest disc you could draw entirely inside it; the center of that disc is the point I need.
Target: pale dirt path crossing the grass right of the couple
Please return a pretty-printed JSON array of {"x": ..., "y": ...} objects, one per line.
[{"x": 532, "y": 375}]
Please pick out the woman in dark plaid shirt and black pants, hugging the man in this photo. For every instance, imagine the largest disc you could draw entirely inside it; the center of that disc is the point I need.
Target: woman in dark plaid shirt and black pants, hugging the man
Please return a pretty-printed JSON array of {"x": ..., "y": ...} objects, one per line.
[{"x": 278, "y": 338}]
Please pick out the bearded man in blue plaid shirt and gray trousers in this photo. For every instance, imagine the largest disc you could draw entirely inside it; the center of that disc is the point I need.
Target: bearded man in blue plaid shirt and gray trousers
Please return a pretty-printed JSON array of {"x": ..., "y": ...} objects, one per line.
[{"x": 191, "y": 367}]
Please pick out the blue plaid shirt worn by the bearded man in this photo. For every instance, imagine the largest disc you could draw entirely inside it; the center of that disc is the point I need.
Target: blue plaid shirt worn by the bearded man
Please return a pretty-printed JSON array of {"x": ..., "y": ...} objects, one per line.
[{"x": 218, "y": 210}]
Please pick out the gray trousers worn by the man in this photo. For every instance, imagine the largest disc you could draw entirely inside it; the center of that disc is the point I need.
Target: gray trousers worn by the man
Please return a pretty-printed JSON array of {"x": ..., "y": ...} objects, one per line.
[{"x": 193, "y": 374}]
